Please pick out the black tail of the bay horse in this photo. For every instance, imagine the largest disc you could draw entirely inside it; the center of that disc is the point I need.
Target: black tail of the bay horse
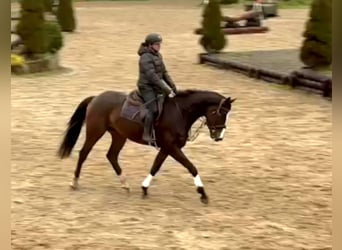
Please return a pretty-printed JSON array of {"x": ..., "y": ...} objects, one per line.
[{"x": 74, "y": 128}]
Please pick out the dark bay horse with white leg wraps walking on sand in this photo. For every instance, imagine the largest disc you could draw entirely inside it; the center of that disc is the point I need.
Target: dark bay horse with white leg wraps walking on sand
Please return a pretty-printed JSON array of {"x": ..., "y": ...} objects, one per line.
[{"x": 102, "y": 113}]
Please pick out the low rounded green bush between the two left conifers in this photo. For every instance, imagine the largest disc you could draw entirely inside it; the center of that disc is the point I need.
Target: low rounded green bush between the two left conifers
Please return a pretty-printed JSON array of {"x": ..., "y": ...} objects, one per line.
[{"x": 54, "y": 36}]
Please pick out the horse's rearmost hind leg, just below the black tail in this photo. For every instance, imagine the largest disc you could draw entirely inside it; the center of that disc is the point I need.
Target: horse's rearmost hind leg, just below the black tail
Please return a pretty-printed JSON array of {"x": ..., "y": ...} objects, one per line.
[{"x": 94, "y": 132}]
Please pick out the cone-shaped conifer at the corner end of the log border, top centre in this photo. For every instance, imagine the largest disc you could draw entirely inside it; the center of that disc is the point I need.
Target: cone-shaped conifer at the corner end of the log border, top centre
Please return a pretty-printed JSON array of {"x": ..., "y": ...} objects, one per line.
[{"x": 213, "y": 38}]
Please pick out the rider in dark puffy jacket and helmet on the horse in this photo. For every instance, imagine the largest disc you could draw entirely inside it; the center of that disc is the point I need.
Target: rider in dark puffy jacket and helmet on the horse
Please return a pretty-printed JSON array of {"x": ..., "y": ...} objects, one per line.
[{"x": 153, "y": 79}]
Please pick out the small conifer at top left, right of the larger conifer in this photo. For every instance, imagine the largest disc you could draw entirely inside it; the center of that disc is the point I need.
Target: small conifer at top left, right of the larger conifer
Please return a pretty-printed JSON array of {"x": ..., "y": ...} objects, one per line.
[{"x": 65, "y": 16}]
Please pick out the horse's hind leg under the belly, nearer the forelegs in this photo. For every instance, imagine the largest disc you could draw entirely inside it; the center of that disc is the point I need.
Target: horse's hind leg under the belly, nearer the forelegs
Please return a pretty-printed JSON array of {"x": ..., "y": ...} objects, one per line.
[{"x": 118, "y": 142}]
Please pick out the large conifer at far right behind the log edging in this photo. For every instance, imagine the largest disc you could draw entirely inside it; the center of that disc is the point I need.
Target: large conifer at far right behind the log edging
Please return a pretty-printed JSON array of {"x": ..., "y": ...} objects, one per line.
[{"x": 316, "y": 50}]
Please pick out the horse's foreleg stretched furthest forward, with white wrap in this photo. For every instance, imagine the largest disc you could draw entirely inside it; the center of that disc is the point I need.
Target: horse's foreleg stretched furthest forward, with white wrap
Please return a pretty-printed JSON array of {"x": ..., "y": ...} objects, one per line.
[{"x": 179, "y": 156}]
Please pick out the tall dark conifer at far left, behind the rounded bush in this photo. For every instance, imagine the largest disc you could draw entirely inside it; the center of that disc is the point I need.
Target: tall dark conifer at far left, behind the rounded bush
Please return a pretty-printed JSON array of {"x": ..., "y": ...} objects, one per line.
[{"x": 30, "y": 27}]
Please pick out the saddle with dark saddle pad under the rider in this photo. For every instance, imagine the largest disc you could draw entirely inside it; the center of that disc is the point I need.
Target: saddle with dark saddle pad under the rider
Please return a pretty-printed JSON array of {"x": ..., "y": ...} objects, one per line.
[{"x": 134, "y": 108}]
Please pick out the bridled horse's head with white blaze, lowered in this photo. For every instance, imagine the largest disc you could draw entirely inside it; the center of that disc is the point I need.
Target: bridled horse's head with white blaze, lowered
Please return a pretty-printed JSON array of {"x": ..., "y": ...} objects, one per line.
[{"x": 217, "y": 117}]
